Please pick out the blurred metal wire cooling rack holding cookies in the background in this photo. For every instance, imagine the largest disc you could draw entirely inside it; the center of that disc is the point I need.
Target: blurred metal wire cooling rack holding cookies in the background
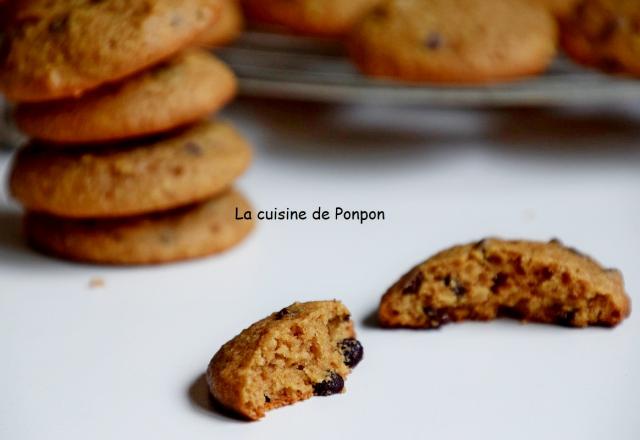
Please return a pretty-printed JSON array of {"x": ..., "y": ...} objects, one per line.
[{"x": 302, "y": 68}]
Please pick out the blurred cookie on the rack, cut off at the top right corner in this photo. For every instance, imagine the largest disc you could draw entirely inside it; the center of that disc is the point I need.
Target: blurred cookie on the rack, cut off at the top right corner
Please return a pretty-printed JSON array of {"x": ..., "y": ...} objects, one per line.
[{"x": 604, "y": 34}]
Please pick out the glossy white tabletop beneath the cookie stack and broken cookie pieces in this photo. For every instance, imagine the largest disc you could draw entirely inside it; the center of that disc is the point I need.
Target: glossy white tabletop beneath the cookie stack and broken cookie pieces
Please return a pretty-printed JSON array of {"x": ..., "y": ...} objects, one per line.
[{"x": 125, "y": 361}]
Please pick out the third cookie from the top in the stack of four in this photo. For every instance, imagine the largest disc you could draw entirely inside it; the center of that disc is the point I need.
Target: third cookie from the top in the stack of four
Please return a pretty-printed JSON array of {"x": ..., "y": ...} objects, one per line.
[{"x": 191, "y": 165}]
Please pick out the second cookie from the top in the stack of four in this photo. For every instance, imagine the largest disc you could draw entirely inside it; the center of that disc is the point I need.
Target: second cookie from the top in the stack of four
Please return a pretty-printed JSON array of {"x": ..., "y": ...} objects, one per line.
[{"x": 182, "y": 90}]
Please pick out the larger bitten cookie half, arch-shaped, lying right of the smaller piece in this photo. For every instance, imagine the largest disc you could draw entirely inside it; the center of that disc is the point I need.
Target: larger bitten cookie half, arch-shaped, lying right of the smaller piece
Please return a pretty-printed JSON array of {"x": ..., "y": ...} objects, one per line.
[{"x": 530, "y": 281}]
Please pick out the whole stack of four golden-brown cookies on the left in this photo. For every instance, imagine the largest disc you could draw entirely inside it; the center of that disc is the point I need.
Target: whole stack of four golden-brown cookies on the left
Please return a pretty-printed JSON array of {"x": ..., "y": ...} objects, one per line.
[{"x": 124, "y": 167}]
